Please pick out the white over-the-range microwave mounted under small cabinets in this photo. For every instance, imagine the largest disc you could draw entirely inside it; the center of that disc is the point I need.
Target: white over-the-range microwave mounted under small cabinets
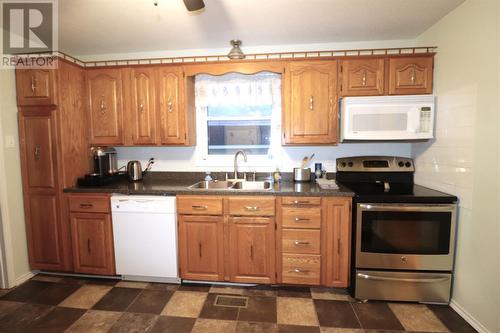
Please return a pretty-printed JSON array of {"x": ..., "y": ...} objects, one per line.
[{"x": 408, "y": 117}]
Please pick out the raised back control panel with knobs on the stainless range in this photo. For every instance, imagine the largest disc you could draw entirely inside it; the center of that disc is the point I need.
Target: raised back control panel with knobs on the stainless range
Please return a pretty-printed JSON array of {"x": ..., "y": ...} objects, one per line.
[{"x": 375, "y": 164}]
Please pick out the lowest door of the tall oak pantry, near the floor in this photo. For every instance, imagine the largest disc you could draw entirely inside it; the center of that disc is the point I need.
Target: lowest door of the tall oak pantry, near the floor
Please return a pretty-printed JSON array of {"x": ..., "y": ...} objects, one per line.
[{"x": 43, "y": 232}]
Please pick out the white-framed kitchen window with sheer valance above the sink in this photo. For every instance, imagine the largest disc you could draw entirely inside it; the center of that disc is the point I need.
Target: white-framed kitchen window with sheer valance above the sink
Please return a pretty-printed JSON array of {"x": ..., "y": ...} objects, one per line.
[{"x": 238, "y": 112}]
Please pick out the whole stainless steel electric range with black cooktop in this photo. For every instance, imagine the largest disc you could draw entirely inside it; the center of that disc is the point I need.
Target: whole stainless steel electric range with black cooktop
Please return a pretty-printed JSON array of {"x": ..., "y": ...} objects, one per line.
[{"x": 404, "y": 236}]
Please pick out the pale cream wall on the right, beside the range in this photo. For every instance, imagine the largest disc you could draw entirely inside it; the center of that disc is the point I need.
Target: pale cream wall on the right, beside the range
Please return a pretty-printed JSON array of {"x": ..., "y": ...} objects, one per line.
[{"x": 464, "y": 157}]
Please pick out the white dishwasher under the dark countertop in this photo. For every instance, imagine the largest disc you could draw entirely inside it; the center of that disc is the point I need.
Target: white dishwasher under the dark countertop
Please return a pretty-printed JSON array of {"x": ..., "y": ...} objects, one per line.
[{"x": 145, "y": 237}]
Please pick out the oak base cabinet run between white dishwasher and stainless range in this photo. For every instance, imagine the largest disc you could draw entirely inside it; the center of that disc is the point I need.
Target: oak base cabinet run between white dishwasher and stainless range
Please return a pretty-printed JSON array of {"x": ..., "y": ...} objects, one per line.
[{"x": 294, "y": 240}]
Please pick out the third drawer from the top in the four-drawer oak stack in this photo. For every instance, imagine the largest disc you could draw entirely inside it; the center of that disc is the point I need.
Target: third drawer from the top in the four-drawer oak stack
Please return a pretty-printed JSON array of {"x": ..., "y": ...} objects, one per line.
[{"x": 301, "y": 241}]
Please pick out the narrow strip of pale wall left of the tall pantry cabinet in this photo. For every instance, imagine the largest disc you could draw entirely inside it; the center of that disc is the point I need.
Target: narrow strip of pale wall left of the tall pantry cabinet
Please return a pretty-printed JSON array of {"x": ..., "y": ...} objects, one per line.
[{"x": 11, "y": 199}]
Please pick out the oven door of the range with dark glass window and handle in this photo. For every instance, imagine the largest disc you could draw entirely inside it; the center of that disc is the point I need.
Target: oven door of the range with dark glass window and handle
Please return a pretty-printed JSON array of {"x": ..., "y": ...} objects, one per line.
[{"x": 405, "y": 236}]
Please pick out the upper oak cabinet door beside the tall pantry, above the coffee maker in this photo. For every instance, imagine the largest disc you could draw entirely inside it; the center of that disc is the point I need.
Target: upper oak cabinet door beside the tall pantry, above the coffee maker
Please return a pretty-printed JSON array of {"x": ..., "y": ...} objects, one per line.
[{"x": 104, "y": 89}]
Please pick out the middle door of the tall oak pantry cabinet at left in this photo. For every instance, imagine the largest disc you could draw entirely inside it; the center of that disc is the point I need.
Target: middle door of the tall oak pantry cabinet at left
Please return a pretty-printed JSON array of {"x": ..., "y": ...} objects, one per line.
[{"x": 37, "y": 130}]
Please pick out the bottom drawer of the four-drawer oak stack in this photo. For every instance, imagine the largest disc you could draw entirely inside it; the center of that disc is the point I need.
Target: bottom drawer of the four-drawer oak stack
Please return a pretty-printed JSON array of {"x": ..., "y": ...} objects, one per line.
[{"x": 301, "y": 269}]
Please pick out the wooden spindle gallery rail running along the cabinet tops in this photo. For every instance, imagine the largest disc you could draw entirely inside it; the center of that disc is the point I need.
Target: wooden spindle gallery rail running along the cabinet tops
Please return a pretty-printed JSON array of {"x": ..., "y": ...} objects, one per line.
[{"x": 255, "y": 56}]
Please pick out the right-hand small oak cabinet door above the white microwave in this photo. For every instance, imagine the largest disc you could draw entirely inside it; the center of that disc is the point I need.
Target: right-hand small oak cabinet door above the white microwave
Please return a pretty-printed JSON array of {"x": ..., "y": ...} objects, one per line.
[{"x": 410, "y": 75}]
